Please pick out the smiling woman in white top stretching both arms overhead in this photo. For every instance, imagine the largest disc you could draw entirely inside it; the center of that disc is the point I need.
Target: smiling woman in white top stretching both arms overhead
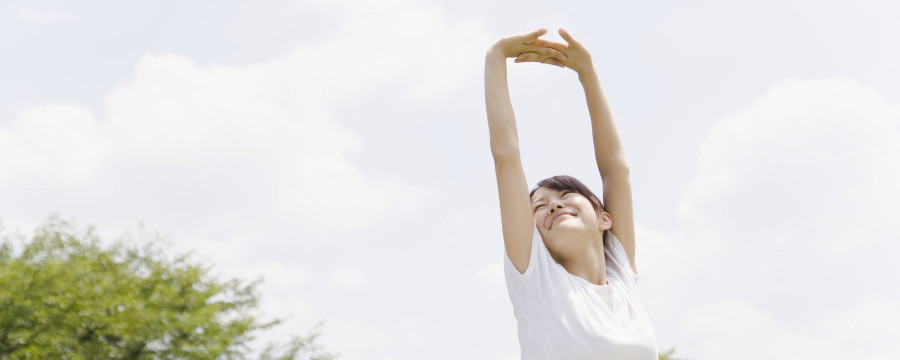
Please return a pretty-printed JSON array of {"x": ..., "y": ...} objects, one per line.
[{"x": 569, "y": 258}]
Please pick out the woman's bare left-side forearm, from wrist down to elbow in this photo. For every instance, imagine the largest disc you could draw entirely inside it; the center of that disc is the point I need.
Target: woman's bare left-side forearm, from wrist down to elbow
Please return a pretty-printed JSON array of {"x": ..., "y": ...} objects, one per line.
[{"x": 501, "y": 120}]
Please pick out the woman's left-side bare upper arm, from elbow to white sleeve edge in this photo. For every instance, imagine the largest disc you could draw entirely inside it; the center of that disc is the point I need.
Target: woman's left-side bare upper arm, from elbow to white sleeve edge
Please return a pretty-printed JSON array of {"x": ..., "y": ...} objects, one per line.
[{"x": 515, "y": 210}]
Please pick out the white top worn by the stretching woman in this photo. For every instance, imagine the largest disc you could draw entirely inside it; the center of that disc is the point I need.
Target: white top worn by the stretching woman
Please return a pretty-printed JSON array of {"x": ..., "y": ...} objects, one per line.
[{"x": 562, "y": 316}]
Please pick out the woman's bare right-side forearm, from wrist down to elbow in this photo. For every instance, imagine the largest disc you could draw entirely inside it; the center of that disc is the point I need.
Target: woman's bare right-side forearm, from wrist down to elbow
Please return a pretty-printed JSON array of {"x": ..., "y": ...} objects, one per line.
[{"x": 607, "y": 144}]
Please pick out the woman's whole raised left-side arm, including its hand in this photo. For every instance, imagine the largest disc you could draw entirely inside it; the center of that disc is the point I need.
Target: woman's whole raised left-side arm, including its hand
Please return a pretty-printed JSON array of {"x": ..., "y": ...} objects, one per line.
[{"x": 515, "y": 204}]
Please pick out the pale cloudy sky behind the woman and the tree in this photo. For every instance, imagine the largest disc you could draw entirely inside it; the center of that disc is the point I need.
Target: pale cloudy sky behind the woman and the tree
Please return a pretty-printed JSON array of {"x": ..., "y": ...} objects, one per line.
[{"x": 339, "y": 150}]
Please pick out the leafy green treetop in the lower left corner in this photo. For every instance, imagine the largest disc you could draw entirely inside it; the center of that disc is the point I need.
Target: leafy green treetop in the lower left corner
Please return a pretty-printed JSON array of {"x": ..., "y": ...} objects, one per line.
[{"x": 64, "y": 295}]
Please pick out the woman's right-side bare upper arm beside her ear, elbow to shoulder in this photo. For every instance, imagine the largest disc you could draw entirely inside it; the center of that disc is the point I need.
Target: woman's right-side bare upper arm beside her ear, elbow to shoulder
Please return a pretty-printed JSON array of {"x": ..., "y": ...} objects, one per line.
[{"x": 618, "y": 203}]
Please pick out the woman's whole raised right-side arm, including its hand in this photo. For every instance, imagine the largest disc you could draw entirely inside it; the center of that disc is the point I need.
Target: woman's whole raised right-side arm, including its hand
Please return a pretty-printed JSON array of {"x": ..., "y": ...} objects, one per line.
[{"x": 608, "y": 150}]
